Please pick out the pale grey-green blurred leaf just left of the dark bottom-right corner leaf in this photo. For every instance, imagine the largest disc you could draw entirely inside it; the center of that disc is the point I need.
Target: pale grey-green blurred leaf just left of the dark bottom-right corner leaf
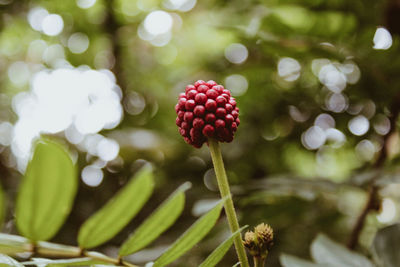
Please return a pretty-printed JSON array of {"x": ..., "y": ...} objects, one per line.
[{"x": 326, "y": 251}]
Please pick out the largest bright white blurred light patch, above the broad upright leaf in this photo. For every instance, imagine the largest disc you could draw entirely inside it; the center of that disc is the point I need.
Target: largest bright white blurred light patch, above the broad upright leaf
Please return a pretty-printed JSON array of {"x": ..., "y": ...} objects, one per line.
[{"x": 79, "y": 101}]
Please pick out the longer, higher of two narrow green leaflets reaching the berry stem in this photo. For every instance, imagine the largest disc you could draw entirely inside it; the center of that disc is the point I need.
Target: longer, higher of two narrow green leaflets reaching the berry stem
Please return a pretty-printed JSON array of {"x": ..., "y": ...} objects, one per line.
[{"x": 191, "y": 237}]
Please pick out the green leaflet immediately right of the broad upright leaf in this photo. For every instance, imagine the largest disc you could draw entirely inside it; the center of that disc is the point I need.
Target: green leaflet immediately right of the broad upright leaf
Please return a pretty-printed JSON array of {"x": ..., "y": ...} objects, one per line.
[{"x": 117, "y": 213}]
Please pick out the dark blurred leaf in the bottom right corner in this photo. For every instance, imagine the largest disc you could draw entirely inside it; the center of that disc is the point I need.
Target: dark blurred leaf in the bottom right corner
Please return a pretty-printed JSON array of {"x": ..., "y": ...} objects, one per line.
[{"x": 386, "y": 246}]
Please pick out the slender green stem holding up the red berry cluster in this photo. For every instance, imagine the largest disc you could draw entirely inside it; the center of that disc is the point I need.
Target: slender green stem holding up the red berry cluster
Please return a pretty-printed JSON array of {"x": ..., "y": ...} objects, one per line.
[{"x": 223, "y": 185}]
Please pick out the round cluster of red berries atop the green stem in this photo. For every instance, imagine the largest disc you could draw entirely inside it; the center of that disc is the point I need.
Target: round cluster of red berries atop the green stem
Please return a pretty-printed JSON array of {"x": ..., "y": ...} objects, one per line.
[{"x": 206, "y": 110}]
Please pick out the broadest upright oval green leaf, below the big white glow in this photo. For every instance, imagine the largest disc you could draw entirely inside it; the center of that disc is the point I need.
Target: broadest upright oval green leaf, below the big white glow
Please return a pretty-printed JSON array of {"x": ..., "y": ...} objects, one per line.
[{"x": 47, "y": 191}]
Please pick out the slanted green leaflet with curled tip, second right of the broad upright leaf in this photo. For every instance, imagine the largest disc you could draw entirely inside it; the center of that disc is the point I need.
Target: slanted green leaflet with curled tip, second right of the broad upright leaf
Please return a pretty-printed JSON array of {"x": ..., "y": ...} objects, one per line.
[{"x": 157, "y": 223}]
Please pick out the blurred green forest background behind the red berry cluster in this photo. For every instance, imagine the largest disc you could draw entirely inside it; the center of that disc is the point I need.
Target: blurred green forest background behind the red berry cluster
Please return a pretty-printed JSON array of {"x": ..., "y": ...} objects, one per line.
[{"x": 283, "y": 174}]
